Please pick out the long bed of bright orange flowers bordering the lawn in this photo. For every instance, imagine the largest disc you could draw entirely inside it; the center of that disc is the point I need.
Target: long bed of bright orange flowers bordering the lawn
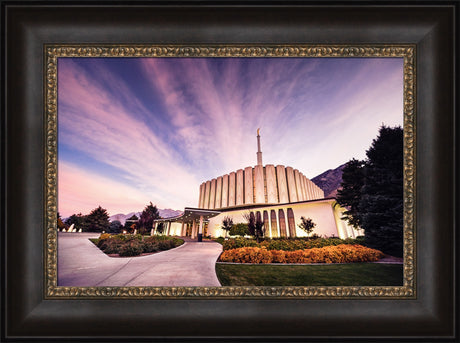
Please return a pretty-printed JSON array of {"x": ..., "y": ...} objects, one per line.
[{"x": 343, "y": 253}]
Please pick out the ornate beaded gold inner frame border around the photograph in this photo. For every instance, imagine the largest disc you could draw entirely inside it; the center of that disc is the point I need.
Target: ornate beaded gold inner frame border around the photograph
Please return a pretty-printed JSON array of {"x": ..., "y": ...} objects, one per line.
[{"x": 53, "y": 52}]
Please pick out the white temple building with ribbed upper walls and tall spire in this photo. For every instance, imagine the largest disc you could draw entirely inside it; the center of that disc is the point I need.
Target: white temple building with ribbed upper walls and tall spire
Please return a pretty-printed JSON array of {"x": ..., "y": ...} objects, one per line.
[{"x": 278, "y": 195}]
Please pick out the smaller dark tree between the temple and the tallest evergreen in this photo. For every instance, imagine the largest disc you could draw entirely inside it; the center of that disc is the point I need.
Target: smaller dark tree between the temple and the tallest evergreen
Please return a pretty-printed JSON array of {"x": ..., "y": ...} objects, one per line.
[{"x": 349, "y": 196}]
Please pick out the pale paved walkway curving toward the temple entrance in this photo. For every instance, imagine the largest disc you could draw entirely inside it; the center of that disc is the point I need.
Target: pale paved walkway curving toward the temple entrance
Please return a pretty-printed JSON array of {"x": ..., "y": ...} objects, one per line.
[{"x": 81, "y": 263}]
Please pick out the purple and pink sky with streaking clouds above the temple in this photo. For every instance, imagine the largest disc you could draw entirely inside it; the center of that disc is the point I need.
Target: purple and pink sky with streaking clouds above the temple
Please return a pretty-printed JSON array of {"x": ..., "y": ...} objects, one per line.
[{"x": 137, "y": 130}]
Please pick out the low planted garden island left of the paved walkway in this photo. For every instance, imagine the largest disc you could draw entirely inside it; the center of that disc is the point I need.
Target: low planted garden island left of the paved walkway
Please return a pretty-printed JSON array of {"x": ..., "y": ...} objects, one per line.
[{"x": 134, "y": 245}]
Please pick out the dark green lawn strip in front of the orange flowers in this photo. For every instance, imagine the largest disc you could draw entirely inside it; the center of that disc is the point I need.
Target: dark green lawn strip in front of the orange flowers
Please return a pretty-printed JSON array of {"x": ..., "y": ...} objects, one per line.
[{"x": 353, "y": 274}]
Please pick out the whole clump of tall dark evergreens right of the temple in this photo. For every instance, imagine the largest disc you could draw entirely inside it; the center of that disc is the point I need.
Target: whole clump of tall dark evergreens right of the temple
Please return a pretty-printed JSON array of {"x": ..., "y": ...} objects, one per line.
[{"x": 372, "y": 192}]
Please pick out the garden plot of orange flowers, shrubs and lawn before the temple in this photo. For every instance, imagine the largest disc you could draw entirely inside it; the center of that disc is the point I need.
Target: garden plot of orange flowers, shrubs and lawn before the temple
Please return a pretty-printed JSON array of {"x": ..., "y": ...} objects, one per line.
[{"x": 284, "y": 262}]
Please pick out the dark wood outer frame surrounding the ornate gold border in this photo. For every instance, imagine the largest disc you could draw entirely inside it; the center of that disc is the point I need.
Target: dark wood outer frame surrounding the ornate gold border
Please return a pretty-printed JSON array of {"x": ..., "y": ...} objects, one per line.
[{"x": 27, "y": 314}]
